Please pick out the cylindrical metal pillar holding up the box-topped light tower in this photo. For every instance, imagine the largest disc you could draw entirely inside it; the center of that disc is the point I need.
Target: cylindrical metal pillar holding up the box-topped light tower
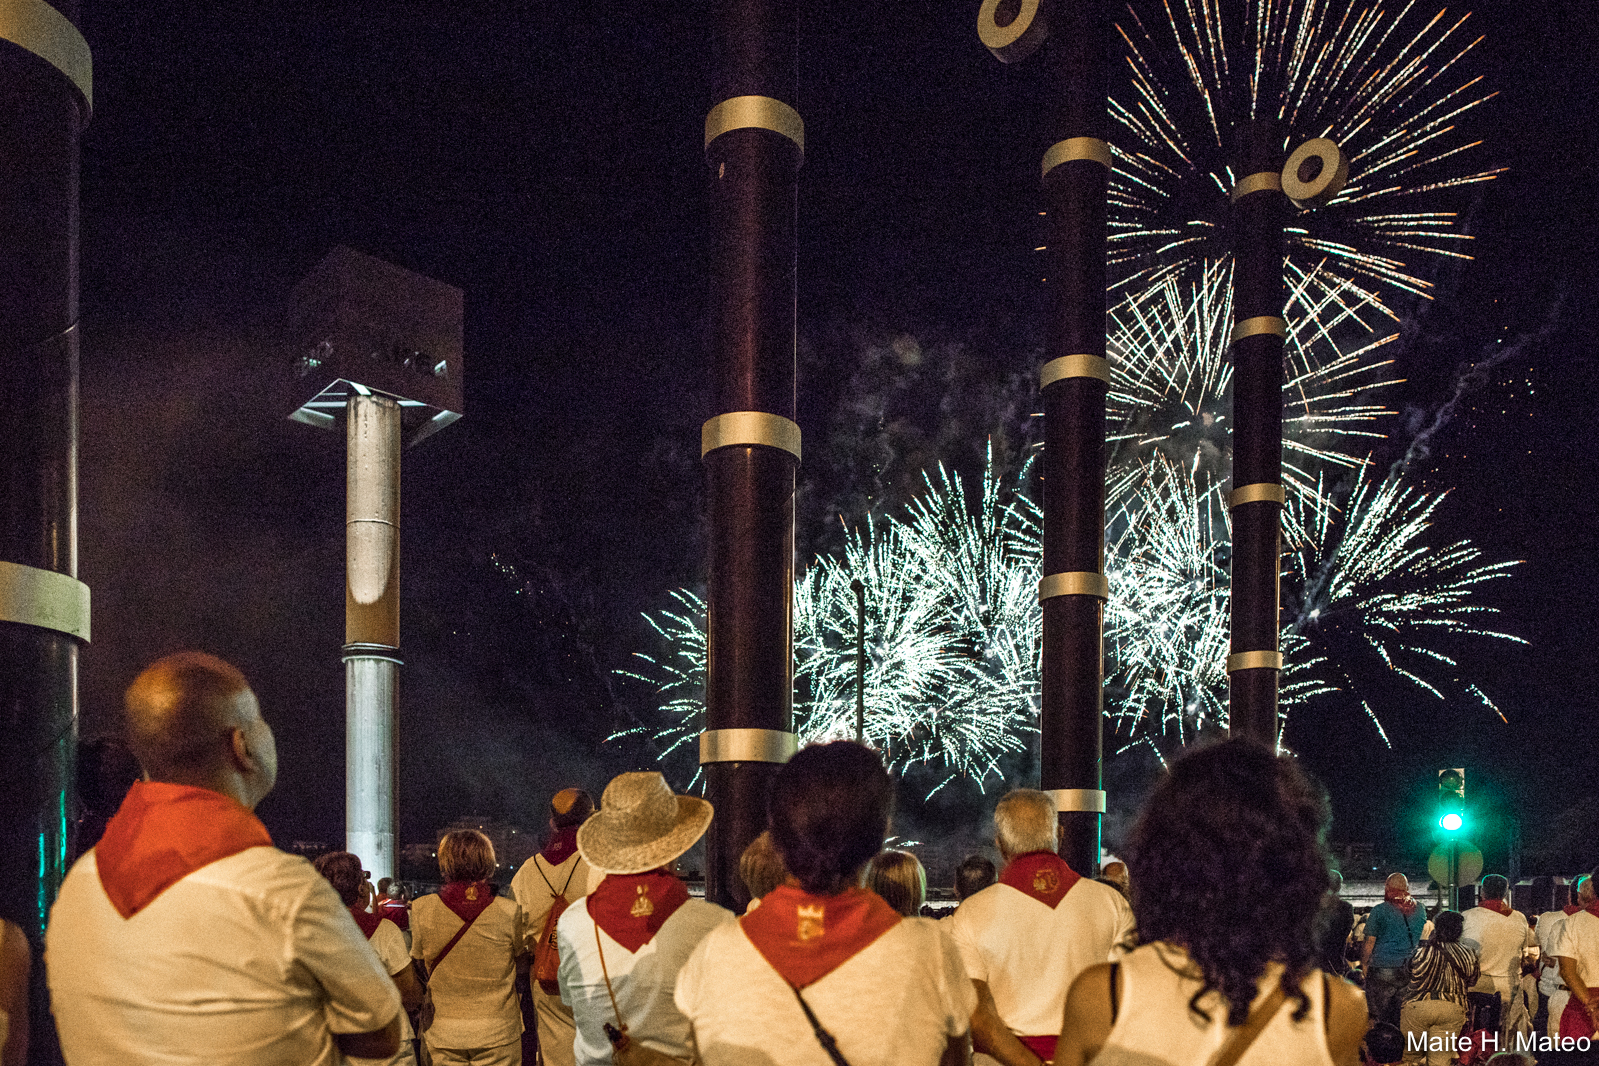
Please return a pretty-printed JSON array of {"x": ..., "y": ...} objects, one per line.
[{"x": 372, "y": 630}]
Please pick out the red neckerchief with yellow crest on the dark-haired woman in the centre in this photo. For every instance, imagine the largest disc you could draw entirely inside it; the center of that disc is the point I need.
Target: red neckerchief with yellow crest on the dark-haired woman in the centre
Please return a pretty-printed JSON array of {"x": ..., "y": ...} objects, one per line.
[{"x": 807, "y": 937}]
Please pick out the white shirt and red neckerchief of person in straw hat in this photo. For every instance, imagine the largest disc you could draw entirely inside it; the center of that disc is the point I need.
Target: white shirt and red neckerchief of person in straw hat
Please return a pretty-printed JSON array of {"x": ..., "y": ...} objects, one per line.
[{"x": 647, "y": 928}]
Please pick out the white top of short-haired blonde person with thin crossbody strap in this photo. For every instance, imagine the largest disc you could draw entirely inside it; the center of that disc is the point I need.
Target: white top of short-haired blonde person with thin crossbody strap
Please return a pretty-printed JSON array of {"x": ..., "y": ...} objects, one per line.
[{"x": 476, "y": 987}]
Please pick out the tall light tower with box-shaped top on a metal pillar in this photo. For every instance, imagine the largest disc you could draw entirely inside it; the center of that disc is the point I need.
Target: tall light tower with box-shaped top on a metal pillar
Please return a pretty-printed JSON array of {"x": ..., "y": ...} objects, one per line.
[{"x": 380, "y": 349}]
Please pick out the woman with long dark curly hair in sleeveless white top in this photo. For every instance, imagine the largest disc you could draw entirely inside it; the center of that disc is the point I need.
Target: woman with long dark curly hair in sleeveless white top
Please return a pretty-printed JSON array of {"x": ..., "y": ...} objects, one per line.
[{"x": 1229, "y": 870}]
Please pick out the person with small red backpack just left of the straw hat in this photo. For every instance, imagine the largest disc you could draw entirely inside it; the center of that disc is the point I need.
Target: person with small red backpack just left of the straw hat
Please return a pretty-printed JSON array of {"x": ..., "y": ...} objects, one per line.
[{"x": 556, "y": 873}]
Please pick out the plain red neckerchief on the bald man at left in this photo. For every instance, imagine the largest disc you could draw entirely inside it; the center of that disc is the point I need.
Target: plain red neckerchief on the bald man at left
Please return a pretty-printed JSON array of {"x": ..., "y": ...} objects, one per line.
[{"x": 162, "y": 833}]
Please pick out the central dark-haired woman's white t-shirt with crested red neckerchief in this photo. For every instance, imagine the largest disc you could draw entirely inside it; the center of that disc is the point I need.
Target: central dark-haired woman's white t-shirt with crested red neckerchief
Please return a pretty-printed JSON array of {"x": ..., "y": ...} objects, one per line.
[{"x": 891, "y": 990}]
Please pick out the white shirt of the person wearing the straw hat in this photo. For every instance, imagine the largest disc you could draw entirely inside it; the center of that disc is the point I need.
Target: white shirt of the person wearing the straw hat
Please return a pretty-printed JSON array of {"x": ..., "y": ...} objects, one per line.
[{"x": 644, "y": 984}]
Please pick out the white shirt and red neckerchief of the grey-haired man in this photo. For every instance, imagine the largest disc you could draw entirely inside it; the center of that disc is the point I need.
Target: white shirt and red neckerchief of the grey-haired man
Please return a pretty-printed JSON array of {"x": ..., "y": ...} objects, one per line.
[{"x": 1031, "y": 934}]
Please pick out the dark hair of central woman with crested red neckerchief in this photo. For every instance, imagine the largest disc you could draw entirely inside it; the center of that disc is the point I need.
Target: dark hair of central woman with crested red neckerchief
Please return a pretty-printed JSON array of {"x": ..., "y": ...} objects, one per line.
[{"x": 831, "y": 811}]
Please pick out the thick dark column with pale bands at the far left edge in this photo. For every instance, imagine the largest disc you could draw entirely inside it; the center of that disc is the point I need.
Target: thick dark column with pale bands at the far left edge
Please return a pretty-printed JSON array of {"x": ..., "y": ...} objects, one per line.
[{"x": 44, "y": 610}]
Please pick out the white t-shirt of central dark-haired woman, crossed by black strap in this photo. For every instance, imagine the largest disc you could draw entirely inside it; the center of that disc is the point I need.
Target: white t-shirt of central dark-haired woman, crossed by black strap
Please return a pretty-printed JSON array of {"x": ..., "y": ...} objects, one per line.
[{"x": 896, "y": 1003}]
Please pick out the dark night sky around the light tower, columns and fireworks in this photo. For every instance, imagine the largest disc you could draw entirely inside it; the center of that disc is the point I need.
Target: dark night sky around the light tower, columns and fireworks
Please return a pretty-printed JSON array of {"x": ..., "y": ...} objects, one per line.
[{"x": 548, "y": 161}]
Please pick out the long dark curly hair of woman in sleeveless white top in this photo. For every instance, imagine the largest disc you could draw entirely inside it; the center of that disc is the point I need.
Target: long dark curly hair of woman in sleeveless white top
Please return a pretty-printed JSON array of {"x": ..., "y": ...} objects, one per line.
[{"x": 1230, "y": 862}]
